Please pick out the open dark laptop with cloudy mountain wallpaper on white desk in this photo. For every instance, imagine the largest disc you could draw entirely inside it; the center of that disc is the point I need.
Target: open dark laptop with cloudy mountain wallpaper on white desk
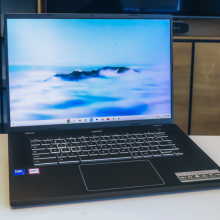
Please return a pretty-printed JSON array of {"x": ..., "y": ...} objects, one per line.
[{"x": 90, "y": 110}]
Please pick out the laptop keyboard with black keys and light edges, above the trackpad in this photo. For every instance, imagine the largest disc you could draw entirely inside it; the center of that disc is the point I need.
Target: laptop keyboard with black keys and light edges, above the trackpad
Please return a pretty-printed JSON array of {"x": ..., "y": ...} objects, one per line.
[{"x": 83, "y": 149}]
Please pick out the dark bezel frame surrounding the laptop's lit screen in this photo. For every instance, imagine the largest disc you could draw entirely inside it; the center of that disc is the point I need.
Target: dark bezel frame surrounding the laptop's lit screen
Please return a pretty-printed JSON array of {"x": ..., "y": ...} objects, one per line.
[{"x": 88, "y": 125}]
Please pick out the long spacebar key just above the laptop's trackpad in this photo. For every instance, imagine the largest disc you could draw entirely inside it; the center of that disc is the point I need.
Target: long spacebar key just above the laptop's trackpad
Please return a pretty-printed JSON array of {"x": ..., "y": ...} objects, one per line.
[{"x": 106, "y": 158}]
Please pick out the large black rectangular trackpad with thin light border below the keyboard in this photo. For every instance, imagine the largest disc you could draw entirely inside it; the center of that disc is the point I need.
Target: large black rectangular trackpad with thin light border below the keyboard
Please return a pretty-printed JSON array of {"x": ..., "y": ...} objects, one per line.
[{"x": 116, "y": 175}]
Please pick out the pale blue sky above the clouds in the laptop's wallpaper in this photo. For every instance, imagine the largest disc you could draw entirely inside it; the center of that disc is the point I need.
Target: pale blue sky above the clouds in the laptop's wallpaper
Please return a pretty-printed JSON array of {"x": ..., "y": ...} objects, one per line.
[{"x": 88, "y": 42}]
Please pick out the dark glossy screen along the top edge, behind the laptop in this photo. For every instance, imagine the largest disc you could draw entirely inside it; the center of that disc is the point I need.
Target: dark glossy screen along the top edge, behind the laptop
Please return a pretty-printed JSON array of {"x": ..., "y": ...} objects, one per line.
[{"x": 178, "y": 8}]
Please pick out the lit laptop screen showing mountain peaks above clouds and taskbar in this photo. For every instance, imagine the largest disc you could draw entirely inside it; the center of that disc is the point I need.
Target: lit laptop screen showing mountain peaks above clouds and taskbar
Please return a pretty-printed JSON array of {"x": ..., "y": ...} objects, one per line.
[{"x": 68, "y": 71}]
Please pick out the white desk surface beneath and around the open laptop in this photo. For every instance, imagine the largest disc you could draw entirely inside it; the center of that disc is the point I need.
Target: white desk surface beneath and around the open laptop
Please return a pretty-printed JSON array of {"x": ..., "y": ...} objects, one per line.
[{"x": 203, "y": 204}]
